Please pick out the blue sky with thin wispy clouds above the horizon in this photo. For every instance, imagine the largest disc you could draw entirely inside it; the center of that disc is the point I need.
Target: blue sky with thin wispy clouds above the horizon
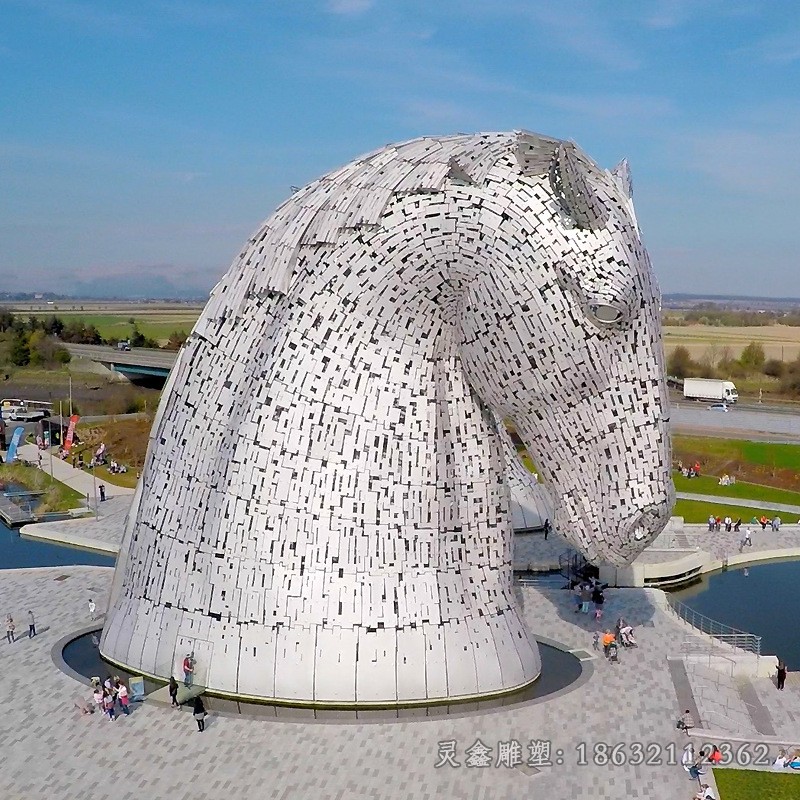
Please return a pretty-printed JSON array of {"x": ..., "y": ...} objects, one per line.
[{"x": 142, "y": 142}]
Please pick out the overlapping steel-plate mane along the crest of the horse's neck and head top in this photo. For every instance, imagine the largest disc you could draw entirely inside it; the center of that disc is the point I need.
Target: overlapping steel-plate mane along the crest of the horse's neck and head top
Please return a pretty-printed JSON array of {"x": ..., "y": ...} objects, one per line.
[{"x": 355, "y": 197}]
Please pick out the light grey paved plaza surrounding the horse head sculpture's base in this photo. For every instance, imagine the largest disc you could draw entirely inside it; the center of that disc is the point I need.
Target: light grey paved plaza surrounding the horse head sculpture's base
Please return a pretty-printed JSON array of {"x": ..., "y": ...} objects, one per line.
[{"x": 49, "y": 749}]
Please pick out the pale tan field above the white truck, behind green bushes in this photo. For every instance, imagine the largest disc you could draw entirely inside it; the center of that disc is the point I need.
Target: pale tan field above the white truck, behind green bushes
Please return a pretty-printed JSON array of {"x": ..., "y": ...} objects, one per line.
[{"x": 780, "y": 341}]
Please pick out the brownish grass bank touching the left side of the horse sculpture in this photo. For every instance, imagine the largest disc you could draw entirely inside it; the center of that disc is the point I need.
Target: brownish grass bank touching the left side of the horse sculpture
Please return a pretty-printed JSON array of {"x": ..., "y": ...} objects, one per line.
[{"x": 126, "y": 443}]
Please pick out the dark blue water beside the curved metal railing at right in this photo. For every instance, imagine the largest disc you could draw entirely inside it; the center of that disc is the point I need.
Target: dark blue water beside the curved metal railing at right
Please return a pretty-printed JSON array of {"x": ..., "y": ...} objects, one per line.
[{"x": 761, "y": 599}]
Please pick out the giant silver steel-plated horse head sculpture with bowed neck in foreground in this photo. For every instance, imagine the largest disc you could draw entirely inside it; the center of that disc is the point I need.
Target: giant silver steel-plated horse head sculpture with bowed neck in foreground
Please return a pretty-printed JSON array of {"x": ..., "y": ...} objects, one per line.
[{"x": 323, "y": 514}]
